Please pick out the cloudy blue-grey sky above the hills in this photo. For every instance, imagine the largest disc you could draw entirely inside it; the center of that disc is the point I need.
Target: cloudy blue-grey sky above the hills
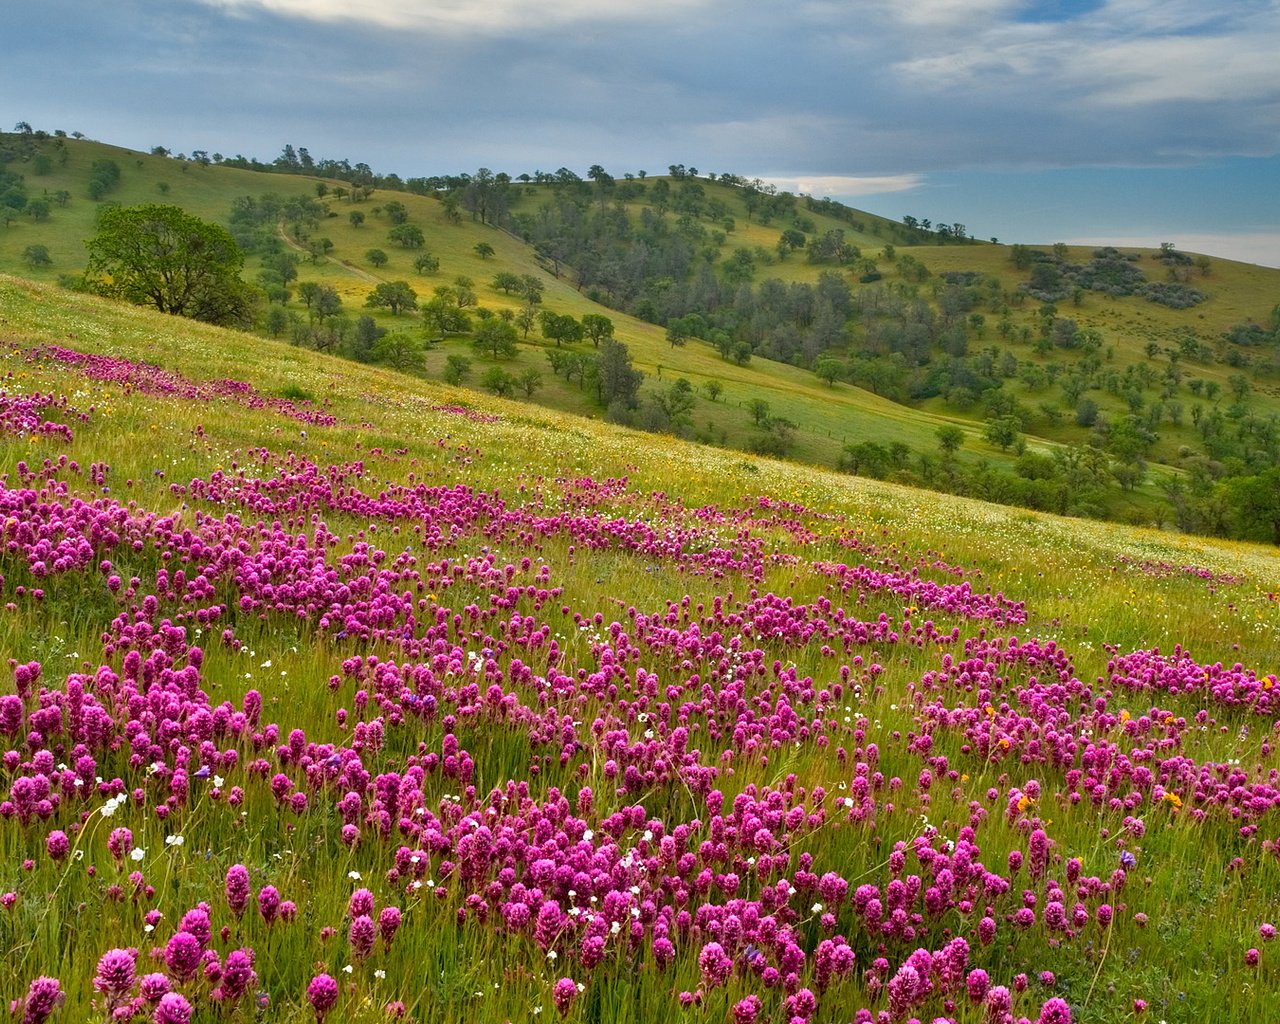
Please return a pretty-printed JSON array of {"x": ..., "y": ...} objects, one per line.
[{"x": 1123, "y": 122}]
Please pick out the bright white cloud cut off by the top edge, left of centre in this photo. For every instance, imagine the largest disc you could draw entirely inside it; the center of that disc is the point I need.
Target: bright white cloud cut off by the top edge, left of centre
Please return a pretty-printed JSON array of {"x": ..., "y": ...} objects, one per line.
[{"x": 461, "y": 17}]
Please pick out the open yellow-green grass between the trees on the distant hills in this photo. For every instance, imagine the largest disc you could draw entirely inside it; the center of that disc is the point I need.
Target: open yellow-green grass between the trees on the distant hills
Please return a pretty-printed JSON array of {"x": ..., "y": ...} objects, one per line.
[{"x": 828, "y": 419}]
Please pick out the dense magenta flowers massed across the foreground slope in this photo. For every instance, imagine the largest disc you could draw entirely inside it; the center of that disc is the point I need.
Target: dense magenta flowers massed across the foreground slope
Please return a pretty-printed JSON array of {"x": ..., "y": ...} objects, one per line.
[{"x": 675, "y": 829}]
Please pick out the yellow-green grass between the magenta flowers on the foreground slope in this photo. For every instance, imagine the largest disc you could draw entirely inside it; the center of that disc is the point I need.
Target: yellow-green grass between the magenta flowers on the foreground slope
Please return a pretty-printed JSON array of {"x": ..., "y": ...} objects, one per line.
[{"x": 1078, "y": 580}]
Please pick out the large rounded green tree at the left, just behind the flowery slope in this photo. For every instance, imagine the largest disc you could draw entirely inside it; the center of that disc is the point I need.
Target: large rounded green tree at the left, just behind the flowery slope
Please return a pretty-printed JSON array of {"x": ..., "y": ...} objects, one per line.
[{"x": 163, "y": 257}]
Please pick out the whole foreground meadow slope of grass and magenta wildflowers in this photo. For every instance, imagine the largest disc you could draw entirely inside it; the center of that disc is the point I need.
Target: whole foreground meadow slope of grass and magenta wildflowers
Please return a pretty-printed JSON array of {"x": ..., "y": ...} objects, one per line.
[{"x": 340, "y": 696}]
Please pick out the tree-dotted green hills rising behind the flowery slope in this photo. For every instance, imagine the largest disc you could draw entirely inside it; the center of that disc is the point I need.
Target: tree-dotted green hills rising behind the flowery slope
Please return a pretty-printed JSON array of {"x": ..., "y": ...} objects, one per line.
[{"x": 1122, "y": 385}]
